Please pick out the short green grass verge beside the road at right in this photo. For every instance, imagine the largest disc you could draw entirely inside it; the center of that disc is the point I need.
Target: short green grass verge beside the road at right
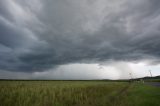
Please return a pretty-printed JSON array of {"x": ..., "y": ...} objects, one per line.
[{"x": 143, "y": 95}]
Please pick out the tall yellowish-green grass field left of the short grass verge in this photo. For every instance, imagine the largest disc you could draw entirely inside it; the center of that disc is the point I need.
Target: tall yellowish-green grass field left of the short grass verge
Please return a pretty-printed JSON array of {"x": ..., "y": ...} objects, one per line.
[{"x": 57, "y": 93}]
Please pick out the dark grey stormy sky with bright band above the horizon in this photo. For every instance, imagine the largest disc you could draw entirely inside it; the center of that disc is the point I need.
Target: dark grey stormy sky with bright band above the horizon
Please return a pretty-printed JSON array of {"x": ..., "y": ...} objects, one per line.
[{"x": 79, "y": 39}]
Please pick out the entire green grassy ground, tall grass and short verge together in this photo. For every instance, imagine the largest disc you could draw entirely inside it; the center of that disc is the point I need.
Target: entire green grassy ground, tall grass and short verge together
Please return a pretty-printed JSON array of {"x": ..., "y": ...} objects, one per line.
[{"x": 77, "y": 93}]
